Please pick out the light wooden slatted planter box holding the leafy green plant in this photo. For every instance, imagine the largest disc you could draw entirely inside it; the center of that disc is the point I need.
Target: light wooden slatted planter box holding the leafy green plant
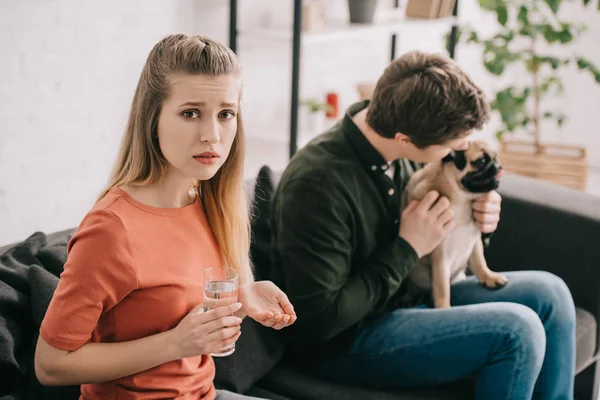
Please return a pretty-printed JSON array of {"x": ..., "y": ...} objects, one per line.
[{"x": 557, "y": 163}]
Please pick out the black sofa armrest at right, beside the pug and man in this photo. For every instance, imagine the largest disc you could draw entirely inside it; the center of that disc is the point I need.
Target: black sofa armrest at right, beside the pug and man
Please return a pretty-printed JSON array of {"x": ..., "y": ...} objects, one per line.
[{"x": 551, "y": 228}]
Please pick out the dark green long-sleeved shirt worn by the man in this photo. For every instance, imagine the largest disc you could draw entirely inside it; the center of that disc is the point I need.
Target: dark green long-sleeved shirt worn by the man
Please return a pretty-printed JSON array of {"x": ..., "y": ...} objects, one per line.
[{"x": 336, "y": 250}]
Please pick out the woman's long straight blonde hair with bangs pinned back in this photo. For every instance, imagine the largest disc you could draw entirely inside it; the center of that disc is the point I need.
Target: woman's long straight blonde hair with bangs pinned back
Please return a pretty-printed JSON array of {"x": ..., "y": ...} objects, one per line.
[{"x": 140, "y": 161}]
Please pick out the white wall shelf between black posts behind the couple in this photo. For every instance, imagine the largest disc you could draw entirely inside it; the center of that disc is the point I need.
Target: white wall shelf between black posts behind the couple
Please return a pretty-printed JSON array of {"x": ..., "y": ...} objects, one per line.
[{"x": 390, "y": 23}]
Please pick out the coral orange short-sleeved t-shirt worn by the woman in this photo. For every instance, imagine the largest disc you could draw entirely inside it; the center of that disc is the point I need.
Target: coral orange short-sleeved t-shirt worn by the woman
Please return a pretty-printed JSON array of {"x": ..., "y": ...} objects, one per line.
[{"x": 133, "y": 271}]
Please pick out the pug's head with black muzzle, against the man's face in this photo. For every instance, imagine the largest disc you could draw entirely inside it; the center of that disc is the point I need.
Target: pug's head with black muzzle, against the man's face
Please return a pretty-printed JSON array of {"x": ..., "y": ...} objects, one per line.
[{"x": 477, "y": 169}]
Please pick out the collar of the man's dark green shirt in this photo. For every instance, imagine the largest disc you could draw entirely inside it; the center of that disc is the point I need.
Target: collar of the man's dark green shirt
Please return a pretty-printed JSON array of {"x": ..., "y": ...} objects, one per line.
[{"x": 369, "y": 157}]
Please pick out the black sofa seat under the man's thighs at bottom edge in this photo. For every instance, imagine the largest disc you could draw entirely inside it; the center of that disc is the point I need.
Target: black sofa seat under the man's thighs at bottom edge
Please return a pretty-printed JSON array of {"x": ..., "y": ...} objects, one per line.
[{"x": 296, "y": 384}]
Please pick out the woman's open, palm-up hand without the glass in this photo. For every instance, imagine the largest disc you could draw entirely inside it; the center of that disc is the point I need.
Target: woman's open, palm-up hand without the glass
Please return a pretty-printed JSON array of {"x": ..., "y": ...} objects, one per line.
[{"x": 265, "y": 303}]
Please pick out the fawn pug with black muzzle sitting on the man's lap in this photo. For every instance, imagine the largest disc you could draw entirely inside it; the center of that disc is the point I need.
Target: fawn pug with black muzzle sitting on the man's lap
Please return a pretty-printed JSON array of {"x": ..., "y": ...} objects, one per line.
[{"x": 462, "y": 176}]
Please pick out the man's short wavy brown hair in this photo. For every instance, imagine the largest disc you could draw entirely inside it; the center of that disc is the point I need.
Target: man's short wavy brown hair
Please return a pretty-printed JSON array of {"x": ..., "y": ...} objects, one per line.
[{"x": 428, "y": 98}]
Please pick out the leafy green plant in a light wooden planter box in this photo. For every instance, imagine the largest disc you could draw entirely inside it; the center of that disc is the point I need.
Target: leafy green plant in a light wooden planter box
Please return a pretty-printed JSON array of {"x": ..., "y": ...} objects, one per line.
[{"x": 527, "y": 28}]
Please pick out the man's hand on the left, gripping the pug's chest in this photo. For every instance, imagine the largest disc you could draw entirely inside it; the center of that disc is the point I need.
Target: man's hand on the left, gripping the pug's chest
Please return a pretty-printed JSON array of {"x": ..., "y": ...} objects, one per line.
[{"x": 424, "y": 224}]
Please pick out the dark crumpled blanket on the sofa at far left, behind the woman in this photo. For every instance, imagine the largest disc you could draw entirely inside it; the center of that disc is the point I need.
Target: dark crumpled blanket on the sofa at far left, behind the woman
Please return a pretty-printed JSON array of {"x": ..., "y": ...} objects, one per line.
[{"x": 28, "y": 277}]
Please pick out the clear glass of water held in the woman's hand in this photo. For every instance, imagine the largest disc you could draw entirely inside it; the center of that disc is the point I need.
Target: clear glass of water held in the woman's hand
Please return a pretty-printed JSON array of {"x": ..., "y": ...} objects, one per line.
[{"x": 220, "y": 289}]
